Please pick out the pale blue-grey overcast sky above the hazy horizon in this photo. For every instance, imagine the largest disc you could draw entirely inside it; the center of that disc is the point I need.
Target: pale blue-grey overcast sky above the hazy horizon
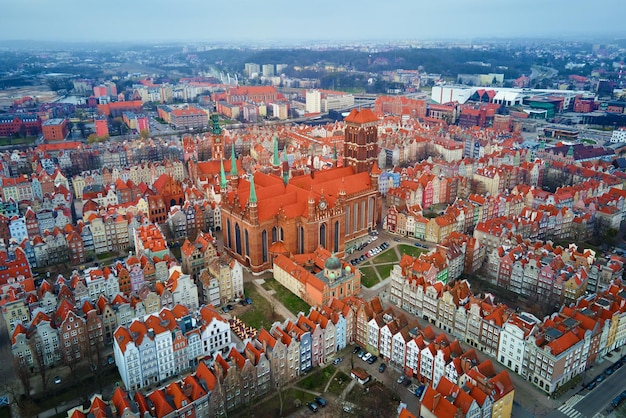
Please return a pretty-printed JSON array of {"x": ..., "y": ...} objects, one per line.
[{"x": 331, "y": 20}]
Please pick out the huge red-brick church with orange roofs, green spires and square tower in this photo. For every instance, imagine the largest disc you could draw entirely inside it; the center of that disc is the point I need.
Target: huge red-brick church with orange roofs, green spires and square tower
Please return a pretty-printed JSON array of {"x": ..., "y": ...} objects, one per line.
[{"x": 266, "y": 215}]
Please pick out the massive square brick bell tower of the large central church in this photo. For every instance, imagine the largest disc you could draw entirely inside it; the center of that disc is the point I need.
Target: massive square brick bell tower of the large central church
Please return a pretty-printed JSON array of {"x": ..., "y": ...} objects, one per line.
[{"x": 361, "y": 140}]
